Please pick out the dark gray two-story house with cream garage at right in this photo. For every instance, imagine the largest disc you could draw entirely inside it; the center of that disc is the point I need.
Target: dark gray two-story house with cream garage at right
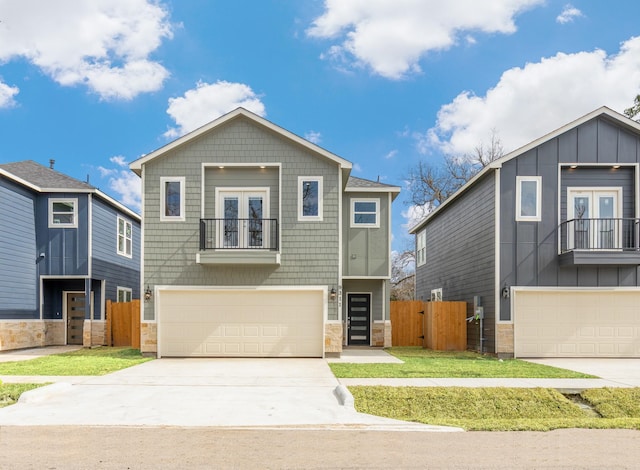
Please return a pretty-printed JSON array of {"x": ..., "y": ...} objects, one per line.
[{"x": 546, "y": 240}]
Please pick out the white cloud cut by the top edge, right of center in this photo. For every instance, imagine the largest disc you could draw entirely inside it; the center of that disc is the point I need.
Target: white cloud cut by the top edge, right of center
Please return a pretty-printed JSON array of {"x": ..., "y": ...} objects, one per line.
[{"x": 390, "y": 36}]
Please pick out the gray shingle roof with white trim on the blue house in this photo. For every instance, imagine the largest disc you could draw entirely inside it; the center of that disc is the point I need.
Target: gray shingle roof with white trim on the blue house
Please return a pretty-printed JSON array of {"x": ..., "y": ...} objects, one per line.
[{"x": 43, "y": 179}]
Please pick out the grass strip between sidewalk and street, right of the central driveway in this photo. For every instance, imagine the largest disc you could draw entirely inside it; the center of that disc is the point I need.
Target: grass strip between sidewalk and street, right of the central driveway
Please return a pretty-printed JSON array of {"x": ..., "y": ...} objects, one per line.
[{"x": 492, "y": 409}]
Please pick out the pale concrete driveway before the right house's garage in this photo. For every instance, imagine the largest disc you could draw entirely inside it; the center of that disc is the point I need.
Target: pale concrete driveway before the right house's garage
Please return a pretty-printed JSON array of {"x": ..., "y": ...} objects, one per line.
[{"x": 625, "y": 372}]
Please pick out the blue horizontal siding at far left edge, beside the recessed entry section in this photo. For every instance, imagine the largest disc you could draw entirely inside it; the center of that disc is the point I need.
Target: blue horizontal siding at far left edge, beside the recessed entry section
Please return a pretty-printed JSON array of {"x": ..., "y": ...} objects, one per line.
[{"x": 18, "y": 268}]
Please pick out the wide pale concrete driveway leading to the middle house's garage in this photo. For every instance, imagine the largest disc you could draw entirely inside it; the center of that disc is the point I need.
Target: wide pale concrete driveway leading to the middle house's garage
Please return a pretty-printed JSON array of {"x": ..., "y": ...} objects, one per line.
[{"x": 203, "y": 392}]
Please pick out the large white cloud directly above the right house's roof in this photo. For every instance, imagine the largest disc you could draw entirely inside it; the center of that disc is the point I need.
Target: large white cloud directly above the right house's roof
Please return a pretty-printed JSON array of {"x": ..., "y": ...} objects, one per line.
[{"x": 531, "y": 101}]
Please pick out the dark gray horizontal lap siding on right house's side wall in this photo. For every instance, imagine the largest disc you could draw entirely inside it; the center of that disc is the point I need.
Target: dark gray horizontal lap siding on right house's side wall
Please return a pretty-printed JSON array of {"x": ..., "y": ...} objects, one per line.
[{"x": 460, "y": 256}]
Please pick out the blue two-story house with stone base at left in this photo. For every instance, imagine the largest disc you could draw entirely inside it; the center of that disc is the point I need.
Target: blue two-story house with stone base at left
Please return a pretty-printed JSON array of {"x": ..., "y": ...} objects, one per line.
[{"x": 63, "y": 241}]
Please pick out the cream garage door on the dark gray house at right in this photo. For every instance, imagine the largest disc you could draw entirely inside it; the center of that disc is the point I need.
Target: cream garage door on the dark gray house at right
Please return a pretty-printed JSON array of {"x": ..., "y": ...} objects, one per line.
[{"x": 577, "y": 324}]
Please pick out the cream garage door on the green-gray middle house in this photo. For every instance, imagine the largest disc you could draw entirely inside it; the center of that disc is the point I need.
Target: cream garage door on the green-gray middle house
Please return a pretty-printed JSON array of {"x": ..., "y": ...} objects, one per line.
[{"x": 241, "y": 323}]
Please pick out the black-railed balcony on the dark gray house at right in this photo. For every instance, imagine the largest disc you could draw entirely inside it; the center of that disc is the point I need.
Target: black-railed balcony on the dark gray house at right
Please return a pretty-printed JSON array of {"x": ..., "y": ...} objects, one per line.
[{"x": 600, "y": 242}]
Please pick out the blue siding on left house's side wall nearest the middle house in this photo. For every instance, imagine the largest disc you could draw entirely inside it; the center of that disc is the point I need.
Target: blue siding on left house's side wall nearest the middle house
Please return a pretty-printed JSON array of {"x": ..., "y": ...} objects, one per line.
[{"x": 107, "y": 264}]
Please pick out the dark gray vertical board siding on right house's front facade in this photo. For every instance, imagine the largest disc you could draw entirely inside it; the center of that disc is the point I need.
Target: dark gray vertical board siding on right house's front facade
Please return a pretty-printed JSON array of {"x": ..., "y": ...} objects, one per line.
[{"x": 529, "y": 250}]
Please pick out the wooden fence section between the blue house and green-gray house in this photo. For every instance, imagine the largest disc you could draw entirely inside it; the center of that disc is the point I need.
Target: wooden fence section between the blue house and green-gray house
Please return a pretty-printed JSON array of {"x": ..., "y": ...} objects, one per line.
[{"x": 123, "y": 324}]
